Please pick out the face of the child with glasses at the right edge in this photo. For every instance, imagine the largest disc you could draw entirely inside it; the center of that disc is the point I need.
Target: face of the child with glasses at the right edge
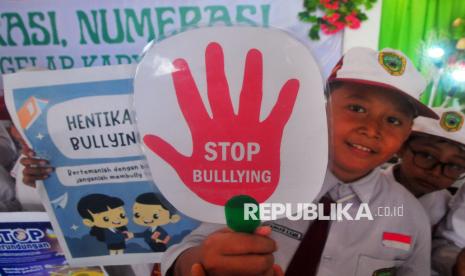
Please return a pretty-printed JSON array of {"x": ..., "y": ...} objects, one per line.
[{"x": 427, "y": 147}]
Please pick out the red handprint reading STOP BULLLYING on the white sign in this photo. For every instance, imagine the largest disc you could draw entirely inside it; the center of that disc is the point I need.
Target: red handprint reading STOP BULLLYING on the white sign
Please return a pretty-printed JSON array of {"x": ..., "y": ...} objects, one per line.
[{"x": 232, "y": 153}]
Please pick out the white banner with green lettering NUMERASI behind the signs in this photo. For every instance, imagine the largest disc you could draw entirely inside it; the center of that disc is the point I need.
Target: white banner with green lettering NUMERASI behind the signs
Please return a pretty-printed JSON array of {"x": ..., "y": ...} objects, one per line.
[{"x": 68, "y": 34}]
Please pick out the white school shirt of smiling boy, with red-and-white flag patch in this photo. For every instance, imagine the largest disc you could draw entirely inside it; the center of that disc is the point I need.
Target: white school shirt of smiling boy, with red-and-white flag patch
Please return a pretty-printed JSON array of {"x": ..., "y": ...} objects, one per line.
[{"x": 353, "y": 248}]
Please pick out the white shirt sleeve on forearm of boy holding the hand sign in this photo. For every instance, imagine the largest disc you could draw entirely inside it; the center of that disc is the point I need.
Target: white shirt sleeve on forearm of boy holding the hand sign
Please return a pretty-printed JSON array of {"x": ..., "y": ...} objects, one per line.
[{"x": 193, "y": 239}]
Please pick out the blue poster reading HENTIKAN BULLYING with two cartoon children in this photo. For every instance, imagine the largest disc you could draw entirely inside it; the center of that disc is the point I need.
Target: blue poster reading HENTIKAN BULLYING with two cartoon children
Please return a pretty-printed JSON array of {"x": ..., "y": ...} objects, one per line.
[{"x": 103, "y": 204}]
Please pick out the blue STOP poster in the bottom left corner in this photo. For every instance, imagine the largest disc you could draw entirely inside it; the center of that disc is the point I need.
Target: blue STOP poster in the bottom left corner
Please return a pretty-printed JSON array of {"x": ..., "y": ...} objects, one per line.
[{"x": 29, "y": 246}]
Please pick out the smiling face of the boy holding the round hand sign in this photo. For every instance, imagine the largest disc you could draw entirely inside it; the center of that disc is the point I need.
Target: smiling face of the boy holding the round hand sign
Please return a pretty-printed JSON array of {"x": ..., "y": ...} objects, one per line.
[{"x": 368, "y": 125}]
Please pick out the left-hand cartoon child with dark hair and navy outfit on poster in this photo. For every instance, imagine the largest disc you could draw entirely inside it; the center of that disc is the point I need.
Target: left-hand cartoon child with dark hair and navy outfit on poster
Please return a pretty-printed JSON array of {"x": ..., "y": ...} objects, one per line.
[{"x": 106, "y": 217}]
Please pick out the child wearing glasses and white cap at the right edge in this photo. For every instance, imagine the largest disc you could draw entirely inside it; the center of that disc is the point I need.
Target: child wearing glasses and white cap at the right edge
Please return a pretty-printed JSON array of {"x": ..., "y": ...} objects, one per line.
[{"x": 432, "y": 159}]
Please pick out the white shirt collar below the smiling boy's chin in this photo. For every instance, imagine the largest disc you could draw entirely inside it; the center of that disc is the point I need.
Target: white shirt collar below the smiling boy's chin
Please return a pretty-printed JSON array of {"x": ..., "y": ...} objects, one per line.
[{"x": 363, "y": 188}]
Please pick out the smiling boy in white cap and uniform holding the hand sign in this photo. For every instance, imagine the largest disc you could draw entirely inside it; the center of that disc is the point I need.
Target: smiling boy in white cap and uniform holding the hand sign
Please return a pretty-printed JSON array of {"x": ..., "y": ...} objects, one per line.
[{"x": 371, "y": 109}]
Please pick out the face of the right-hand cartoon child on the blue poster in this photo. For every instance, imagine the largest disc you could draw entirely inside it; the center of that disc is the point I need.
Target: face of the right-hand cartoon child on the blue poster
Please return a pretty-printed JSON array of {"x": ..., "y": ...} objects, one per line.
[{"x": 150, "y": 215}]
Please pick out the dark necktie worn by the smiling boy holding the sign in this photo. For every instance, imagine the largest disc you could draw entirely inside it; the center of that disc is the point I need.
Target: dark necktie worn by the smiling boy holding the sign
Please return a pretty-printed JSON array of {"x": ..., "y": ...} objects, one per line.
[{"x": 307, "y": 257}]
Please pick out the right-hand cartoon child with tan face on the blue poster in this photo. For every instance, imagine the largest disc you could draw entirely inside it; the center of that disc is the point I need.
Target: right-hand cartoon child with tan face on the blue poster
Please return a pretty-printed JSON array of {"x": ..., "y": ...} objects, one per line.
[{"x": 149, "y": 211}]
